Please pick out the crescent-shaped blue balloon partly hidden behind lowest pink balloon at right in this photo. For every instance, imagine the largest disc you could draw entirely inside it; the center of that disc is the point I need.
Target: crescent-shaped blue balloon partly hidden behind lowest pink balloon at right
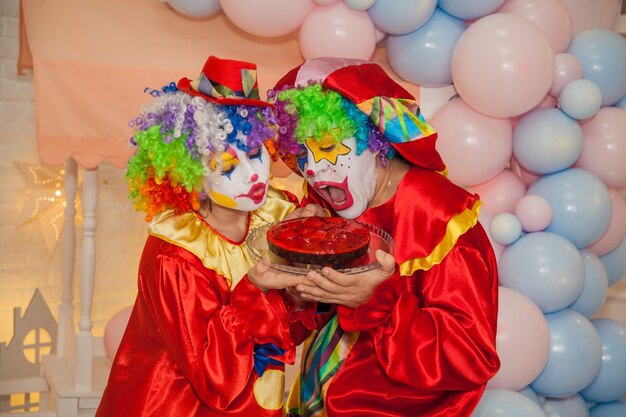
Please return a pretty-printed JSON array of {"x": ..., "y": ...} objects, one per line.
[{"x": 575, "y": 355}]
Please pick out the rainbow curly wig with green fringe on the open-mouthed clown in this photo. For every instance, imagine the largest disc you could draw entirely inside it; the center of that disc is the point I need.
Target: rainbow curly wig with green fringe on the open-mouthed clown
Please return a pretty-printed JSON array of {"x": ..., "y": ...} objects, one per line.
[{"x": 314, "y": 112}]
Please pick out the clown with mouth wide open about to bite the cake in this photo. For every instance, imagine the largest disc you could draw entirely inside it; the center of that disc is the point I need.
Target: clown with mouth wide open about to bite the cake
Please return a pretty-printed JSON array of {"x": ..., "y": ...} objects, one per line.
[{"x": 419, "y": 339}]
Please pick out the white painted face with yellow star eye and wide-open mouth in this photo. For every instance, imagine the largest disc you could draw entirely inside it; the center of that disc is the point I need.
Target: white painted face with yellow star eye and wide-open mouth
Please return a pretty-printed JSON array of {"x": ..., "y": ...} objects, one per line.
[{"x": 347, "y": 181}]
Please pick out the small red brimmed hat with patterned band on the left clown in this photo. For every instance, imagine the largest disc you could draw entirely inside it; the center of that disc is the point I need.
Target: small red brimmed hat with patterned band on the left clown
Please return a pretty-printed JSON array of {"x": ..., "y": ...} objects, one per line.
[{"x": 225, "y": 81}]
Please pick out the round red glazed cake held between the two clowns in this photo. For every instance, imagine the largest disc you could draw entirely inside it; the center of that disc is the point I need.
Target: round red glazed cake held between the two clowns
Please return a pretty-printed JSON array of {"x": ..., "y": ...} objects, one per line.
[{"x": 319, "y": 240}]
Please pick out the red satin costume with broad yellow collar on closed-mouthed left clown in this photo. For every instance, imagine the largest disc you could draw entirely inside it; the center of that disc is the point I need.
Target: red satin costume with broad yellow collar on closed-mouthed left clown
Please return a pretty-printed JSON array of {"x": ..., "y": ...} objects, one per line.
[{"x": 188, "y": 349}]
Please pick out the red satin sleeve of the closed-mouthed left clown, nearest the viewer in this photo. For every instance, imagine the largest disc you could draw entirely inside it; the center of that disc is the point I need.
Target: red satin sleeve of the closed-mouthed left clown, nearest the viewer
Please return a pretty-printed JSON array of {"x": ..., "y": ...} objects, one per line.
[{"x": 209, "y": 332}]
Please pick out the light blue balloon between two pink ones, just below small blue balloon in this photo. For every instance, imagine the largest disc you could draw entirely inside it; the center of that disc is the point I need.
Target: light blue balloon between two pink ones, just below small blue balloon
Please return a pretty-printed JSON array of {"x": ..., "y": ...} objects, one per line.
[{"x": 547, "y": 141}]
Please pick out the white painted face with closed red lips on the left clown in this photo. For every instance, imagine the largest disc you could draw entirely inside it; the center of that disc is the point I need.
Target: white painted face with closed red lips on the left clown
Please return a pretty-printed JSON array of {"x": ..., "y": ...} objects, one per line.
[{"x": 245, "y": 176}]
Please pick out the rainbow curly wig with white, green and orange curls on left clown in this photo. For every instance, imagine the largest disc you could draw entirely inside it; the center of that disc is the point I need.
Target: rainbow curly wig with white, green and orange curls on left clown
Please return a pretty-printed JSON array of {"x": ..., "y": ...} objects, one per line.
[{"x": 176, "y": 136}]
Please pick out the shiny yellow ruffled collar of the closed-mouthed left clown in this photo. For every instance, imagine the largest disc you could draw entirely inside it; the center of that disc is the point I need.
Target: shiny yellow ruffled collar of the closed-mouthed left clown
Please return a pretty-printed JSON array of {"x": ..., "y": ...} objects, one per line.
[{"x": 232, "y": 260}]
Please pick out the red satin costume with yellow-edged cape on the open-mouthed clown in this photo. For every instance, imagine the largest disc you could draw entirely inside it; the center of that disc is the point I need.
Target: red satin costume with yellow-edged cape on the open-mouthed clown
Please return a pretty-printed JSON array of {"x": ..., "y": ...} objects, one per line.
[{"x": 425, "y": 343}]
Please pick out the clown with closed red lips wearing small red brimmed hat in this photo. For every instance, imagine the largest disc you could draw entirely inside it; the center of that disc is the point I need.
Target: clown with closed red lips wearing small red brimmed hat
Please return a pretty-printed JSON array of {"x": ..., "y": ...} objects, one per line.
[{"x": 203, "y": 339}]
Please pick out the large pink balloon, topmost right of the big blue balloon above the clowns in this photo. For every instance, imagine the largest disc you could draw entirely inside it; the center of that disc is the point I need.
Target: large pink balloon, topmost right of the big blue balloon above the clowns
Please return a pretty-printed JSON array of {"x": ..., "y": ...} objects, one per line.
[{"x": 503, "y": 65}]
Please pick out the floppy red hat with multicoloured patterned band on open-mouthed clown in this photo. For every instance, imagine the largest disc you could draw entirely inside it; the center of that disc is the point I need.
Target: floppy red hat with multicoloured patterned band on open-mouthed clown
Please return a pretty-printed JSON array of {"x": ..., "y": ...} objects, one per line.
[{"x": 391, "y": 108}]
